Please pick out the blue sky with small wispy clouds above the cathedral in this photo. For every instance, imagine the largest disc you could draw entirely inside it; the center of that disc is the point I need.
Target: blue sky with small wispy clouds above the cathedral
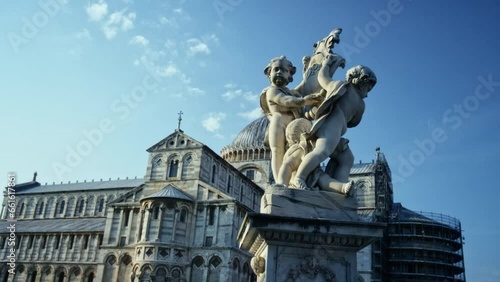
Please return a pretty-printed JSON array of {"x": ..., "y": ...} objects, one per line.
[{"x": 106, "y": 79}]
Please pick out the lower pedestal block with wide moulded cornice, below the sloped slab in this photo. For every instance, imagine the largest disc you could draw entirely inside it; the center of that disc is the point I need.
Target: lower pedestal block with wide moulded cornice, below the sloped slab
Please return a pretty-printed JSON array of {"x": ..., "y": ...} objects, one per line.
[{"x": 299, "y": 249}]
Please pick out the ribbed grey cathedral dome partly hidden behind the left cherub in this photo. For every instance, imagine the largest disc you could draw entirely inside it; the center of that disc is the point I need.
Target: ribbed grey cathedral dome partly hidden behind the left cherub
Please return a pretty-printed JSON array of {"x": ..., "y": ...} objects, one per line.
[{"x": 250, "y": 139}]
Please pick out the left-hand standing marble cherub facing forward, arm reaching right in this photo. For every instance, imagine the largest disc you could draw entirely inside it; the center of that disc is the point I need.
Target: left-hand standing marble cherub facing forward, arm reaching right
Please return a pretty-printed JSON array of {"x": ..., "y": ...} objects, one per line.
[{"x": 282, "y": 105}]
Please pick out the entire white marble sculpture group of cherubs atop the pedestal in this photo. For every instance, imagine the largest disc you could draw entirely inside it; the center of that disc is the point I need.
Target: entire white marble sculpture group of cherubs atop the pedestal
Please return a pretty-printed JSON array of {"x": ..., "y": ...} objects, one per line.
[{"x": 306, "y": 124}]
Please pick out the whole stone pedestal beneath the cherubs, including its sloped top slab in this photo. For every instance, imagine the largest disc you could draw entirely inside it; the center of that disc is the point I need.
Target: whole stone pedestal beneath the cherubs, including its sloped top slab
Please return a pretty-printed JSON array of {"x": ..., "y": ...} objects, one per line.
[{"x": 305, "y": 242}]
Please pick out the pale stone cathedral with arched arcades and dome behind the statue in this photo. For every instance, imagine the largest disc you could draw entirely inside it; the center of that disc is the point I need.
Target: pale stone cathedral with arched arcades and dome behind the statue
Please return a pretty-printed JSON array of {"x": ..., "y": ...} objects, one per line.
[{"x": 180, "y": 222}]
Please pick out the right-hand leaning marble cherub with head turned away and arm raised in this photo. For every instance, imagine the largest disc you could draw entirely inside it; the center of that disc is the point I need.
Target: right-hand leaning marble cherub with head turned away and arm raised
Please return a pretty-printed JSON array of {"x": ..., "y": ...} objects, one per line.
[{"x": 342, "y": 108}]
